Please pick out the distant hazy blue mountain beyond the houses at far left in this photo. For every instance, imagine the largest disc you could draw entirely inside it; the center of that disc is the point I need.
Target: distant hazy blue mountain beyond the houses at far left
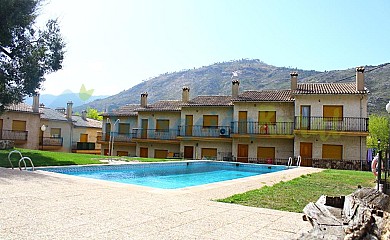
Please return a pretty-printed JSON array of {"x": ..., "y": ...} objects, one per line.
[{"x": 54, "y": 101}]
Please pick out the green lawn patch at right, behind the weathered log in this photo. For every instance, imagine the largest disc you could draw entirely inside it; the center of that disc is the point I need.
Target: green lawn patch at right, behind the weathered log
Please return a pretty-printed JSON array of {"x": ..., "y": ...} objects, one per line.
[{"x": 294, "y": 195}]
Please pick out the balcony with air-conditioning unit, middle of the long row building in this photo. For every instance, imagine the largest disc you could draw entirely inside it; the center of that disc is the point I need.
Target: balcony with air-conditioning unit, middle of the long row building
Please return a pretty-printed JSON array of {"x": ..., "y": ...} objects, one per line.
[{"x": 201, "y": 131}]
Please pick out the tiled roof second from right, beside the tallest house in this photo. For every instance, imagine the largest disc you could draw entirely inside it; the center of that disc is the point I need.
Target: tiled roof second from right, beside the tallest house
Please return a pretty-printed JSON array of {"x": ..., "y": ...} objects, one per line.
[{"x": 265, "y": 96}]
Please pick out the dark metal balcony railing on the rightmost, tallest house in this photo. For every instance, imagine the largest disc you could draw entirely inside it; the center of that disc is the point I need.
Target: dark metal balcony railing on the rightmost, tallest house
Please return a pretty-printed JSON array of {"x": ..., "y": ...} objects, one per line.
[{"x": 345, "y": 124}]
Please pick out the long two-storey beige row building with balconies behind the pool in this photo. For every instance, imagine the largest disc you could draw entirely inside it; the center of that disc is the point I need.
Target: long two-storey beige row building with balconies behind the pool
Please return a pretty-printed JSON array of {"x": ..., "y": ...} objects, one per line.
[{"x": 310, "y": 121}]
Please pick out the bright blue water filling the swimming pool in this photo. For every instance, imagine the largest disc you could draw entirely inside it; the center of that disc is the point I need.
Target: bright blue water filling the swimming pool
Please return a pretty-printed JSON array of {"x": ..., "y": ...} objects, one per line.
[{"x": 169, "y": 175}]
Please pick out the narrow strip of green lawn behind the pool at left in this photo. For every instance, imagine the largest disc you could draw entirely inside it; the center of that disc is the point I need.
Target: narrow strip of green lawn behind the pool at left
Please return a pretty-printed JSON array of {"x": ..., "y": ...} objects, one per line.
[{"x": 47, "y": 158}]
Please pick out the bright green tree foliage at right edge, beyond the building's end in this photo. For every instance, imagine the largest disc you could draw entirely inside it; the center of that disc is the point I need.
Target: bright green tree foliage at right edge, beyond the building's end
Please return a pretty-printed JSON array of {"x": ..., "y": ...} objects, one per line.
[{"x": 378, "y": 129}]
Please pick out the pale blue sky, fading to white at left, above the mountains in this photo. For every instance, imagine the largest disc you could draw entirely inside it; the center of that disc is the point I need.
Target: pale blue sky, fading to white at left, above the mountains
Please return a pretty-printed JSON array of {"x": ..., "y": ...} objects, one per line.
[{"x": 114, "y": 45}]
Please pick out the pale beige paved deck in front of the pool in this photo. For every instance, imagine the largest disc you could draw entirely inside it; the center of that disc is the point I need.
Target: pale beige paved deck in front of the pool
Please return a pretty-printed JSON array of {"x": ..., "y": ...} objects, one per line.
[{"x": 42, "y": 205}]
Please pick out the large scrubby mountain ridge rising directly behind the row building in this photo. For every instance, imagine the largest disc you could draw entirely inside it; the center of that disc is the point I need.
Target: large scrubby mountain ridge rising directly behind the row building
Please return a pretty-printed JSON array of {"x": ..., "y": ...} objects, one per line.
[{"x": 253, "y": 74}]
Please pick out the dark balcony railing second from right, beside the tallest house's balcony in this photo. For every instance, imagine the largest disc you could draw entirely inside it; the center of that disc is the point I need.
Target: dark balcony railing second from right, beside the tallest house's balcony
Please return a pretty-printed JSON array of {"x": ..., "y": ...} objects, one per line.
[{"x": 263, "y": 128}]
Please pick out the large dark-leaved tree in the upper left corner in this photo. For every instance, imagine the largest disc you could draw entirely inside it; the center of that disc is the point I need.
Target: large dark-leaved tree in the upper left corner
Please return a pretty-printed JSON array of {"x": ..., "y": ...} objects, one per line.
[{"x": 27, "y": 53}]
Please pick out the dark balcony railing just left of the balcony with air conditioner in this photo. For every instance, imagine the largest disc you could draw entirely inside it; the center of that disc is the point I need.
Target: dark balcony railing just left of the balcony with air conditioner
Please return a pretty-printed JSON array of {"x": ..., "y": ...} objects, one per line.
[{"x": 157, "y": 134}]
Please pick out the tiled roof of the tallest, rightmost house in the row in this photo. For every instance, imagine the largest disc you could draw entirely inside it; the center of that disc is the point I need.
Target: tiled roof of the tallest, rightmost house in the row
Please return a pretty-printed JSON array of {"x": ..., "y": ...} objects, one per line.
[{"x": 327, "y": 88}]
